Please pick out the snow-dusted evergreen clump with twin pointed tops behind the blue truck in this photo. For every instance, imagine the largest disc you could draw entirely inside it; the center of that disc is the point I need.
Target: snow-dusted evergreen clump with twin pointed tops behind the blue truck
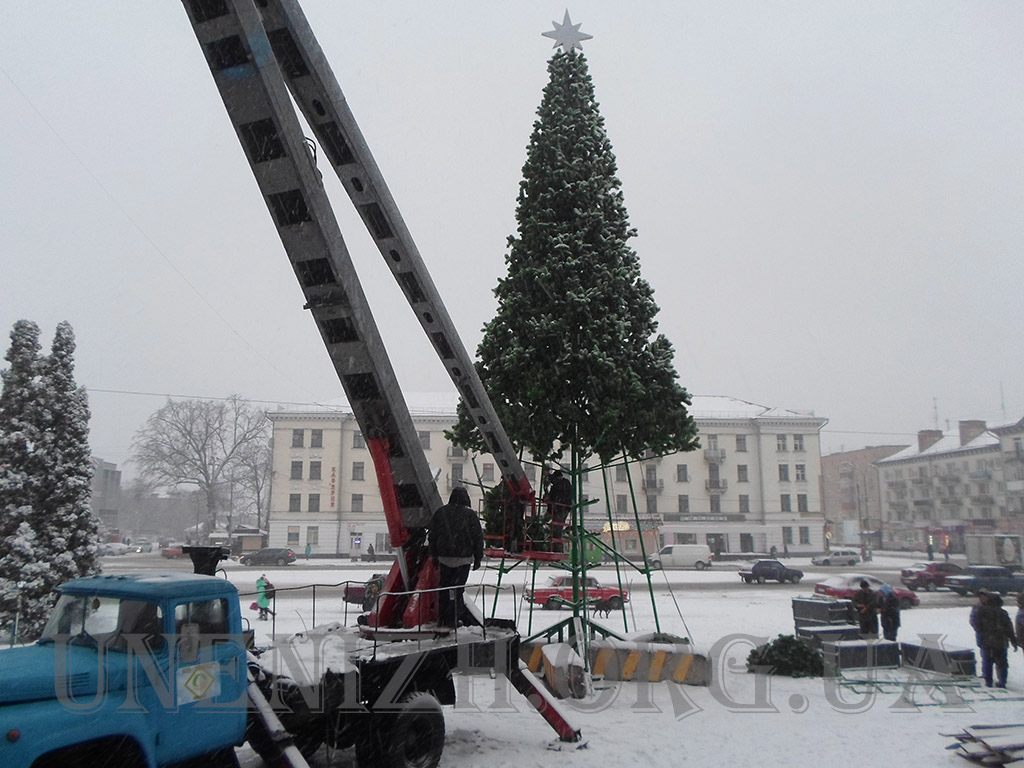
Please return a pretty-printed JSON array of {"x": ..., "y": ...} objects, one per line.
[{"x": 46, "y": 474}]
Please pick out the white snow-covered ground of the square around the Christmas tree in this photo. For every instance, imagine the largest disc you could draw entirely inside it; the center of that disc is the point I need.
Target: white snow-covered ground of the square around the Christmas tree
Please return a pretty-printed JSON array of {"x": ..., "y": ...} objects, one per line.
[{"x": 741, "y": 720}]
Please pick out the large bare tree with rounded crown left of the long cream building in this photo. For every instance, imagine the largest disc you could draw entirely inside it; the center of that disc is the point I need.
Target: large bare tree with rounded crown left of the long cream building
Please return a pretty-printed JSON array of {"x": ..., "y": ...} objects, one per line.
[{"x": 201, "y": 444}]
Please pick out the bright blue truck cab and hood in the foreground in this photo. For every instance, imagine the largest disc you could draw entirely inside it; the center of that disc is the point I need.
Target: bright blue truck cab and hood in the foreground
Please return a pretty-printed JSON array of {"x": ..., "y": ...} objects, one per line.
[{"x": 142, "y": 670}]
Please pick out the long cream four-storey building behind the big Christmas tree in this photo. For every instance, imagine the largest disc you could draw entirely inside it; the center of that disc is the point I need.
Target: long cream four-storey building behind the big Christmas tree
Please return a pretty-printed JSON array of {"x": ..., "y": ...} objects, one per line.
[{"x": 754, "y": 485}]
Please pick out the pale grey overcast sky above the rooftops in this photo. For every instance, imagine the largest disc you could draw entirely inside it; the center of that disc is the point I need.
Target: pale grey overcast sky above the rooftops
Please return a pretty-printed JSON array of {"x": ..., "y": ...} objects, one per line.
[{"x": 830, "y": 197}]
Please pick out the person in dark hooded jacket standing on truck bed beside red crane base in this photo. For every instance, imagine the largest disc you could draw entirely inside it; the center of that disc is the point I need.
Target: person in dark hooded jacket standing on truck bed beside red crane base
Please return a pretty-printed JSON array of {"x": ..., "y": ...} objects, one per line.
[{"x": 456, "y": 544}]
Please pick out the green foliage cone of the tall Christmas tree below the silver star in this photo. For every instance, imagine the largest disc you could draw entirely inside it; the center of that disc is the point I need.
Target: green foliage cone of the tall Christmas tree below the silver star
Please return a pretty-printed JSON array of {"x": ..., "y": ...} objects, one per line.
[{"x": 572, "y": 358}]
